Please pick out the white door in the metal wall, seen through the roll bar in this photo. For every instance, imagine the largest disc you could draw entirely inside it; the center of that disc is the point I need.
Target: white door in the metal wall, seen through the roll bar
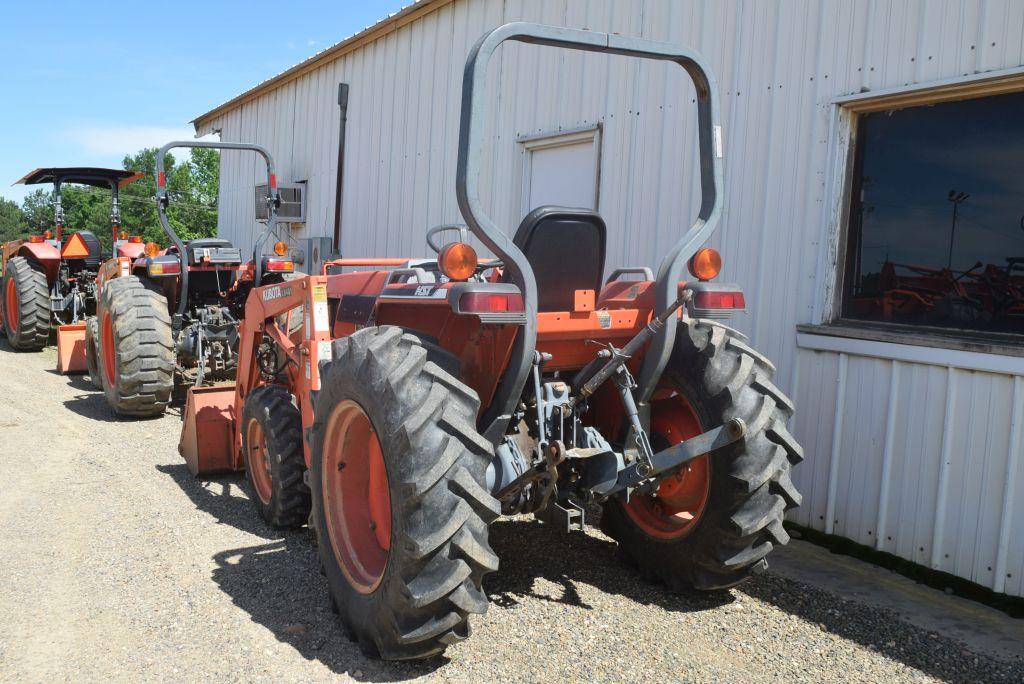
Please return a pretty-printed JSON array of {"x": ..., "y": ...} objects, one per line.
[{"x": 563, "y": 170}]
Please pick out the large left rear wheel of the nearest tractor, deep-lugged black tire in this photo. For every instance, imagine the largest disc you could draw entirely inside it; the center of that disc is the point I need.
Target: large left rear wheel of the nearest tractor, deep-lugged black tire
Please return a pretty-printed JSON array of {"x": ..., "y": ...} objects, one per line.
[{"x": 400, "y": 502}]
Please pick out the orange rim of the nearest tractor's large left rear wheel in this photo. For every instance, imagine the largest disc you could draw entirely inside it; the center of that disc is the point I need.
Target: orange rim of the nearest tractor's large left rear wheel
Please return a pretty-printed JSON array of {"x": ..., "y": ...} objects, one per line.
[{"x": 357, "y": 499}]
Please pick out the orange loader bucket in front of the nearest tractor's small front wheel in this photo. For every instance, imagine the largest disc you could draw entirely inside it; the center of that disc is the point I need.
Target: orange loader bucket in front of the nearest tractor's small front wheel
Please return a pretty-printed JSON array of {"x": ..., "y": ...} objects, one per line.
[{"x": 207, "y": 432}]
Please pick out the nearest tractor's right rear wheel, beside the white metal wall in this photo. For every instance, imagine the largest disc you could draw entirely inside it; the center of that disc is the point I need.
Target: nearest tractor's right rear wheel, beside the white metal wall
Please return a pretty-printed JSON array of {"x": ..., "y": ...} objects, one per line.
[{"x": 711, "y": 526}]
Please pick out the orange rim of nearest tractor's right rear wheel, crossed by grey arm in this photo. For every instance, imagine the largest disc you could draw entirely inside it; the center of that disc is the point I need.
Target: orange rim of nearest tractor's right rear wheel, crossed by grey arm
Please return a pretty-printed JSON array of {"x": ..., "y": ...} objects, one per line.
[{"x": 673, "y": 511}]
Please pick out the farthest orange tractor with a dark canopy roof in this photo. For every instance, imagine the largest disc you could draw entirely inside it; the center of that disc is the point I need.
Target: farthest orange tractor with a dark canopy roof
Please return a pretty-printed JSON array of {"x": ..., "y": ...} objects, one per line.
[{"x": 49, "y": 280}]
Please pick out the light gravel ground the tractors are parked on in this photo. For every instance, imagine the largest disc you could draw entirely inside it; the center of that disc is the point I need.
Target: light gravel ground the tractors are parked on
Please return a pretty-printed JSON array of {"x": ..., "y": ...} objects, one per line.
[{"x": 117, "y": 565}]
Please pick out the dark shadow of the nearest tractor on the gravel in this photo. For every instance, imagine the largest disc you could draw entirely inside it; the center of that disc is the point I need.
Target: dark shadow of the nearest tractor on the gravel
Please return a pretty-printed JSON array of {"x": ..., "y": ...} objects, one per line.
[{"x": 278, "y": 583}]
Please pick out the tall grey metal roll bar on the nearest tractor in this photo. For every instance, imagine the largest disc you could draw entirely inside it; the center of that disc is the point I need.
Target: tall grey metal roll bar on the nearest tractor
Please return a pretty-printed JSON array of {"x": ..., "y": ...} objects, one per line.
[{"x": 488, "y": 232}]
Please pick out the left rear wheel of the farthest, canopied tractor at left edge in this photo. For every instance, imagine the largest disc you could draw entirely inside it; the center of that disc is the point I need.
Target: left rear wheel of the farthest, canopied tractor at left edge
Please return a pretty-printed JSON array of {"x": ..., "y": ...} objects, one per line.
[{"x": 26, "y": 306}]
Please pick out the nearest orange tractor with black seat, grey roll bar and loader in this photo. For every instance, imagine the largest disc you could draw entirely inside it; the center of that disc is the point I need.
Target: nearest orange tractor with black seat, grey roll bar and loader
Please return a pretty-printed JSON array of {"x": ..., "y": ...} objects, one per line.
[{"x": 423, "y": 398}]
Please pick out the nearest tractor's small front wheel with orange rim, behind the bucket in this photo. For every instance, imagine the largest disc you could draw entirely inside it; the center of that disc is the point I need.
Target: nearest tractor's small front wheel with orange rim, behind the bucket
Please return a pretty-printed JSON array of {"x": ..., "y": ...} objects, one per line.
[{"x": 276, "y": 466}]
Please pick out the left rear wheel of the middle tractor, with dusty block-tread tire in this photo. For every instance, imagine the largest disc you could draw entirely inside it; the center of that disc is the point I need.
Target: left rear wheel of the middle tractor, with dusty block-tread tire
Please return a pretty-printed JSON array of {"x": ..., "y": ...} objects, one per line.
[{"x": 137, "y": 350}]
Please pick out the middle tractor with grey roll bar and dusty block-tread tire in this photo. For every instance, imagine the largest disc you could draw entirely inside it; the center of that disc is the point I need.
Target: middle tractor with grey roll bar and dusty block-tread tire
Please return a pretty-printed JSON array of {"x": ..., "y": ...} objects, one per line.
[{"x": 172, "y": 317}]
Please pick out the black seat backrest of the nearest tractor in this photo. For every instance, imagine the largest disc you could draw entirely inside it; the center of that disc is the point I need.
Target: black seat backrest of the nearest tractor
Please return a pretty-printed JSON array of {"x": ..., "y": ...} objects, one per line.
[{"x": 566, "y": 248}]
